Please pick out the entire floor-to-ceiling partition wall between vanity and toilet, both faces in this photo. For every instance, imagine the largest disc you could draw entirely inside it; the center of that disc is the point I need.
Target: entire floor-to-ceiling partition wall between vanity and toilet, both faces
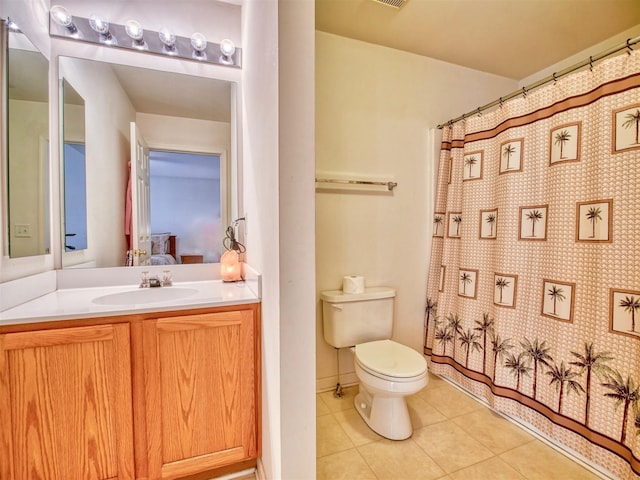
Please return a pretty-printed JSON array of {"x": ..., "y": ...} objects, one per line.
[{"x": 278, "y": 201}]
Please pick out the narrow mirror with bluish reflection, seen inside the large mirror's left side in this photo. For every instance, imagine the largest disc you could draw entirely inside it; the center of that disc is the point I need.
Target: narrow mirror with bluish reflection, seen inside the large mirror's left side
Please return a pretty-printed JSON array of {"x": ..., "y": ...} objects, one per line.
[{"x": 74, "y": 170}]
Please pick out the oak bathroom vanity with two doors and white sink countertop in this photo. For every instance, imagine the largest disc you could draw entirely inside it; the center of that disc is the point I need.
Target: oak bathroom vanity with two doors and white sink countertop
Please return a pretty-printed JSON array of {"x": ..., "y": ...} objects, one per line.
[{"x": 92, "y": 386}]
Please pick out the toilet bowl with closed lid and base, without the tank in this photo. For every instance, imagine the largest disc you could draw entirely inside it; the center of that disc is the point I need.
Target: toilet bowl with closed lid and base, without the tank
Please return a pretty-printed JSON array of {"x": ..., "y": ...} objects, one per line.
[{"x": 388, "y": 372}]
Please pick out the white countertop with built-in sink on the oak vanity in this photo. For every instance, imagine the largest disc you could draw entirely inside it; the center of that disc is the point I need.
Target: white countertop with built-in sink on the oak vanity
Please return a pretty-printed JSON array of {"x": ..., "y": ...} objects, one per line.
[{"x": 75, "y": 303}]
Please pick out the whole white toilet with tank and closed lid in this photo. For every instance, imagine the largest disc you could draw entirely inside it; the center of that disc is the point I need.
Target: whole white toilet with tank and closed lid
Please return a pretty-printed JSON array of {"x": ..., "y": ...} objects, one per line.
[{"x": 388, "y": 371}]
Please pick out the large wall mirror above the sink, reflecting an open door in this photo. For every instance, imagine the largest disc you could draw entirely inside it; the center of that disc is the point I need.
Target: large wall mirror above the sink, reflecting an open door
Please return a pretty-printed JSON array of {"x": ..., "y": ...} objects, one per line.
[{"x": 185, "y": 125}]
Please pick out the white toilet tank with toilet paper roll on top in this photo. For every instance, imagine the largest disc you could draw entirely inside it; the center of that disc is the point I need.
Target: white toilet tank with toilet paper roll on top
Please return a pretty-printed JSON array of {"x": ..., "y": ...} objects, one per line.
[{"x": 353, "y": 318}]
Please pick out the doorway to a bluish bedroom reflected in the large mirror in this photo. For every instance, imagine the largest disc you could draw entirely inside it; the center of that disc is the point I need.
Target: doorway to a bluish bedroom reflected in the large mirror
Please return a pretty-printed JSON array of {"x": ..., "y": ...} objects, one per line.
[{"x": 186, "y": 202}]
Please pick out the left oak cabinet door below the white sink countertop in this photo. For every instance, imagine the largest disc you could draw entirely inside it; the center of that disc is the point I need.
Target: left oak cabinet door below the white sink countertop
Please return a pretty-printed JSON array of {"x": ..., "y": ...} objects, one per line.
[{"x": 65, "y": 404}]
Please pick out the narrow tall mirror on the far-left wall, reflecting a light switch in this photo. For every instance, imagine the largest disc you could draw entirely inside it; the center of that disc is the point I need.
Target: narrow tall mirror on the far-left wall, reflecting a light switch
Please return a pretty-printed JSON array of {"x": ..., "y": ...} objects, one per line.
[{"x": 28, "y": 140}]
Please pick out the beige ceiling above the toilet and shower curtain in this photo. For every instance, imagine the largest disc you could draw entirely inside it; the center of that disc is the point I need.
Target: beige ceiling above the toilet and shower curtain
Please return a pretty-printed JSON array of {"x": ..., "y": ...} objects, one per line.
[{"x": 510, "y": 38}]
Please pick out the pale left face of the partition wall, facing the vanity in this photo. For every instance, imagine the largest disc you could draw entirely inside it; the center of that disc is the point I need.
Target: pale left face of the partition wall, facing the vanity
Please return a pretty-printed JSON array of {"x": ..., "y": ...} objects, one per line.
[{"x": 259, "y": 146}]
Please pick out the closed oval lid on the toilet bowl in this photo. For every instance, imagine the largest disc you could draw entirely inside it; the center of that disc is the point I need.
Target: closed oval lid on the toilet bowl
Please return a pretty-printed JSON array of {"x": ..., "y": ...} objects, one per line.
[{"x": 390, "y": 358}]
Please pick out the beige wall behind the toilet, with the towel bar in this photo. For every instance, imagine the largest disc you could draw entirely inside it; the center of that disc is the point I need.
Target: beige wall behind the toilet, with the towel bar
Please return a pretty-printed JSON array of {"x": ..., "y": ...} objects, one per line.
[{"x": 374, "y": 109}]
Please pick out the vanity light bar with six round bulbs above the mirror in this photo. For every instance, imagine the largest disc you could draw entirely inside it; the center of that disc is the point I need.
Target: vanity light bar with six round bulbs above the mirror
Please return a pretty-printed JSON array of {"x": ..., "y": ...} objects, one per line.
[{"x": 132, "y": 36}]
